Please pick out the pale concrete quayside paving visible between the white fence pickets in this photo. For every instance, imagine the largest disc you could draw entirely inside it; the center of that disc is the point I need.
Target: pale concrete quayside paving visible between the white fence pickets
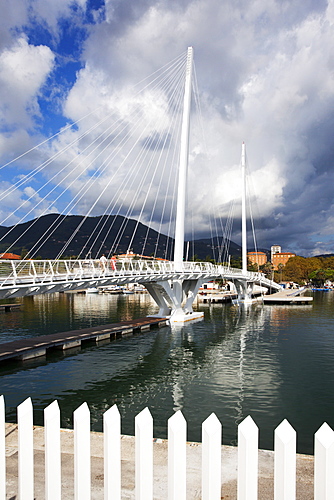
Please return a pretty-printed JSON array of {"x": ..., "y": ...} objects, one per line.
[{"x": 229, "y": 468}]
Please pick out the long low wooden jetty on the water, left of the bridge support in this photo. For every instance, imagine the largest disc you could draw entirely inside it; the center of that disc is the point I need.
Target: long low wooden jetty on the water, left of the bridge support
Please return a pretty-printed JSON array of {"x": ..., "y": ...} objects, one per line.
[{"x": 38, "y": 346}]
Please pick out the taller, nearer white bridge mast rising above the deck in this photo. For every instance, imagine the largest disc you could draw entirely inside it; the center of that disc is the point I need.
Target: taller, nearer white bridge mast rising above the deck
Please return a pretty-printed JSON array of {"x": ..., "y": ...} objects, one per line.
[{"x": 183, "y": 167}]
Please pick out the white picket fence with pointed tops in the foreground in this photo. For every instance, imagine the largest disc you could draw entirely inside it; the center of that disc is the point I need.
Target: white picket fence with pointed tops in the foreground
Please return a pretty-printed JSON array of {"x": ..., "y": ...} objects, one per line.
[{"x": 284, "y": 464}]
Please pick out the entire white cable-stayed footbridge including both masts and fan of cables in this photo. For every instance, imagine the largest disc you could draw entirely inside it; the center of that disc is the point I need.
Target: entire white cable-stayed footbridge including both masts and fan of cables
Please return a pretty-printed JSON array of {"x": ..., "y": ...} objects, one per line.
[{"x": 133, "y": 168}]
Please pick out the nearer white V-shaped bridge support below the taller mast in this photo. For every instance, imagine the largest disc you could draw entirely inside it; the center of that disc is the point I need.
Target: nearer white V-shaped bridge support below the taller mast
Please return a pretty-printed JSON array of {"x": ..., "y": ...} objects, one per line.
[{"x": 175, "y": 298}]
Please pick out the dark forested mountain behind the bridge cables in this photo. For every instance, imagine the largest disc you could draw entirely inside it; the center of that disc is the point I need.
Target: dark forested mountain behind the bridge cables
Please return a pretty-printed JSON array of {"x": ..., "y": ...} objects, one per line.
[{"x": 75, "y": 235}]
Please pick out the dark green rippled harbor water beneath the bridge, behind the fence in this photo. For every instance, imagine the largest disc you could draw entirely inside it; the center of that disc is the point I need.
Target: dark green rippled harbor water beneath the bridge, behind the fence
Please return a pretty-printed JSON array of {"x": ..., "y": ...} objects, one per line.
[{"x": 268, "y": 361}]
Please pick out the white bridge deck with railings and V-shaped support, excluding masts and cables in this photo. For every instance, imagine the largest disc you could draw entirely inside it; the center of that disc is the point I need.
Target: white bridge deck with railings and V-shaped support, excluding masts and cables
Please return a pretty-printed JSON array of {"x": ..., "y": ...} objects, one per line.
[{"x": 31, "y": 277}]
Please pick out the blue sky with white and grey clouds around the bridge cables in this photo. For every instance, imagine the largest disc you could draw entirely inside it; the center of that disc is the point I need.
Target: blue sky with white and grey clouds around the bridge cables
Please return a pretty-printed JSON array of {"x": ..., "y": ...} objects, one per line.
[{"x": 265, "y": 72}]
